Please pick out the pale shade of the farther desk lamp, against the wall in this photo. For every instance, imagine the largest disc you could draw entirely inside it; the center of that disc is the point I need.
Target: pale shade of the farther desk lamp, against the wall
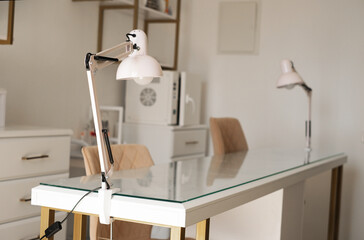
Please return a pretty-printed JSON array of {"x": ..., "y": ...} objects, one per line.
[{"x": 289, "y": 77}]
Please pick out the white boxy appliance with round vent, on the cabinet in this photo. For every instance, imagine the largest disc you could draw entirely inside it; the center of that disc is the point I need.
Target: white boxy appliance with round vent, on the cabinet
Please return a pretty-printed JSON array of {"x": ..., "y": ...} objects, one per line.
[{"x": 173, "y": 99}]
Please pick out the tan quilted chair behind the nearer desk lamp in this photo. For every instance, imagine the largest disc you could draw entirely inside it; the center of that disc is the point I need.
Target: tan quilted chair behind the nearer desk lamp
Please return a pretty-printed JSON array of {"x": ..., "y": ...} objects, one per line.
[{"x": 126, "y": 156}]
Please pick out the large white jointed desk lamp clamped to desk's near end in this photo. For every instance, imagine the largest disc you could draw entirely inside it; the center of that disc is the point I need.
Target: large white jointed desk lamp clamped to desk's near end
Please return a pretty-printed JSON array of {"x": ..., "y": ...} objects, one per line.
[{"x": 135, "y": 65}]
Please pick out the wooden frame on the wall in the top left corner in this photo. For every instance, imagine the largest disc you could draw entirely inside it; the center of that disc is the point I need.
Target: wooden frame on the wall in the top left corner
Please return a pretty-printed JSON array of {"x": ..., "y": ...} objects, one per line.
[{"x": 6, "y": 21}]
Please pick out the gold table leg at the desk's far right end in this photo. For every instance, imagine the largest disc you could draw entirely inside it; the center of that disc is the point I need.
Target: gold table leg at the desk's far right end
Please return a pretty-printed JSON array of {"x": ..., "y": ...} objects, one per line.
[{"x": 335, "y": 198}]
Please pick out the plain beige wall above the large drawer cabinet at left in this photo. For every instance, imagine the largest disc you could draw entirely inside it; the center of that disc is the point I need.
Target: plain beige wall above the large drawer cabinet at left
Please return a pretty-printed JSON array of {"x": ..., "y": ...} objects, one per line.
[{"x": 43, "y": 71}]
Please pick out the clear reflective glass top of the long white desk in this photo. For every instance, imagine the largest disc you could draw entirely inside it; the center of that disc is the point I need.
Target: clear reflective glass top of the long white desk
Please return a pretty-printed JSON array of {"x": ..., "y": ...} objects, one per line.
[{"x": 193, "y": 178}]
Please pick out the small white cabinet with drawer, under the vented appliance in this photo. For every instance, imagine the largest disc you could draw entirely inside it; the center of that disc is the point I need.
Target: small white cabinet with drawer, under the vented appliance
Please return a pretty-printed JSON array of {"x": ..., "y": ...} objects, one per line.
[{"x": 168, "y": 143}]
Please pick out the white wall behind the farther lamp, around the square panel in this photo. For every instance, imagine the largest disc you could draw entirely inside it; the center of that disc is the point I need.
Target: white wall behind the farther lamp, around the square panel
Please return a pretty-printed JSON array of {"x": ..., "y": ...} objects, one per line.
[{"x": 325, "y": 40}]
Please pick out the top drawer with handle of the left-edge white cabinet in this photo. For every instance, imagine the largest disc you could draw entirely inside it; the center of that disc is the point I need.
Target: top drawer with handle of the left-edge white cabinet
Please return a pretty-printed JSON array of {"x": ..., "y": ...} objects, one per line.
[{"x": 33, "y": 156}]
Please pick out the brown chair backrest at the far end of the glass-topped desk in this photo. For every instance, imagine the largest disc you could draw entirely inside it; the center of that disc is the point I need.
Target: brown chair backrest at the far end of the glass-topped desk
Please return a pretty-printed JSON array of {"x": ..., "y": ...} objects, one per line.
[{"x": 227, "y": 135}]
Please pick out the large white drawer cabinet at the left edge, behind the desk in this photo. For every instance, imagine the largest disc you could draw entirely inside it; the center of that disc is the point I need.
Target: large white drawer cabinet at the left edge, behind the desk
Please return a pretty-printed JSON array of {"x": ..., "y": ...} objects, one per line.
[{"x": 29, "y": 155}]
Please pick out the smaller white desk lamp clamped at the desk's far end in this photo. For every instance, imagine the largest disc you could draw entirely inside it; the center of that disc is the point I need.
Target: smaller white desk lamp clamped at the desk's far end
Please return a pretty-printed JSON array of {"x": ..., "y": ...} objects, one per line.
[{"x": 289, "y": 79}]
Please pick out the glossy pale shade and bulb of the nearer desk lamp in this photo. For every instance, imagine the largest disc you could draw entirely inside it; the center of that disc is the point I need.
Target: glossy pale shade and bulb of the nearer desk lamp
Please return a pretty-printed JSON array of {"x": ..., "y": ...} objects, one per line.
[{"x": 139, "y": 66}]
